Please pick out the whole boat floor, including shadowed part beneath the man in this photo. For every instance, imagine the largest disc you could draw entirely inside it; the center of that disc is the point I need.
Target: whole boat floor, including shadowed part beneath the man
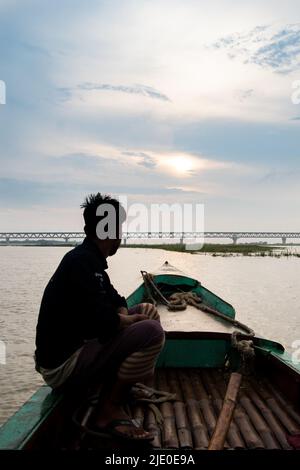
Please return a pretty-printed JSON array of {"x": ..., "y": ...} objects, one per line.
[{"x": 263, "y": 418}]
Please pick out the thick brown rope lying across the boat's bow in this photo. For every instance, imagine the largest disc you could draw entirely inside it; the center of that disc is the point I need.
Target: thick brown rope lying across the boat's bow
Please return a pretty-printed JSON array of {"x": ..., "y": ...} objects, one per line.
[{"x": 179, "y": 301}]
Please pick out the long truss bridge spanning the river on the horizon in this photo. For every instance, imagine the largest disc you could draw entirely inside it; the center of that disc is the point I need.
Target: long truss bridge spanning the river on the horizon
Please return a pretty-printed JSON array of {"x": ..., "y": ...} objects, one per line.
[{"x": 68, "y": 236}]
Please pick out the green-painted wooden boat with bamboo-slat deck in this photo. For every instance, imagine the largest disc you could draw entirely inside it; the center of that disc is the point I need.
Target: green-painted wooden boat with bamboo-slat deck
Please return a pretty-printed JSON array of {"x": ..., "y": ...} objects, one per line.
[{"x": 195, "y": 364}]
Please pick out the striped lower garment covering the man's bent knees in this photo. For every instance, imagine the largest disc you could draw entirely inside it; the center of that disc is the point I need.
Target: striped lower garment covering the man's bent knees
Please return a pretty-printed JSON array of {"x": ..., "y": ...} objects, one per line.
[{"x": 130, "y": 355}]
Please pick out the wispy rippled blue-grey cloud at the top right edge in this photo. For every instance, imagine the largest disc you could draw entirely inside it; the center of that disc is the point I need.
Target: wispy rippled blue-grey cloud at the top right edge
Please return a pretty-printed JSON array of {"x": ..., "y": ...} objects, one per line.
[{"x": 266, "y": 46}]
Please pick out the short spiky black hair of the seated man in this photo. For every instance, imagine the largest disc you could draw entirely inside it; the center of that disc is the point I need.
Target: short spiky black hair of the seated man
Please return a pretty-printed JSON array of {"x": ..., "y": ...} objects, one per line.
[{"x": 91, "y": 204}]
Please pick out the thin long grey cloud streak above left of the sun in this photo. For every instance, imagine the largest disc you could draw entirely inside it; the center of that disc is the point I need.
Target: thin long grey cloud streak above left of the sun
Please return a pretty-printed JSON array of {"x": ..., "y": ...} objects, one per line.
[{"x": 134, "y": 89}]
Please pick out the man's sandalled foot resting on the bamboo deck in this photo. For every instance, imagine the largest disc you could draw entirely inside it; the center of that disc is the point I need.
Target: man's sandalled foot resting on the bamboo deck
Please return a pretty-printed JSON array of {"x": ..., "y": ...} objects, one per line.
[{"x": 111, "y": 412}]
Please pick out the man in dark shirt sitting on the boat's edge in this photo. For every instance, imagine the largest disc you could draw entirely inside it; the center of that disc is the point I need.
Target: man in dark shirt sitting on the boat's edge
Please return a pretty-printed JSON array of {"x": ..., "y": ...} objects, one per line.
[{"x": 85, "y": 332}]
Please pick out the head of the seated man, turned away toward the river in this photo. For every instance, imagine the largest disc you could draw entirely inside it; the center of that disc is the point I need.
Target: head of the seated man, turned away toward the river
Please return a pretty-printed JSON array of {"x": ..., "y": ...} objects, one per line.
[{"x": 103, "y": 217}]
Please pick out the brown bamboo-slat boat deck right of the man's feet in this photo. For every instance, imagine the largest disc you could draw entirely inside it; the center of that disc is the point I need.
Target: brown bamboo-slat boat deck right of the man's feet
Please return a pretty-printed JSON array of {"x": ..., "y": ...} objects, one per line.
[{"x": 262, "y": 419}]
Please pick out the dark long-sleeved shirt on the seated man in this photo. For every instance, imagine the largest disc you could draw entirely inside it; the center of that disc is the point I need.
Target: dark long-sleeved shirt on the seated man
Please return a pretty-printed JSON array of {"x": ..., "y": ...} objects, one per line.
[{"x": 79, "y": 303}]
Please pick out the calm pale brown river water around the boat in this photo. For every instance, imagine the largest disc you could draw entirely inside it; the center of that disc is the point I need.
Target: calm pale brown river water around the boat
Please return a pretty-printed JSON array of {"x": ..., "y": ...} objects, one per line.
[{"x": 264, "y": 292}]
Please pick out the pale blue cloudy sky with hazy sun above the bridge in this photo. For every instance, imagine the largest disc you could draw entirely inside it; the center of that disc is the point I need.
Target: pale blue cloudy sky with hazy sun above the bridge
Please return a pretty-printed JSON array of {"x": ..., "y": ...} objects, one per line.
[{"x": 163, "y": 101}]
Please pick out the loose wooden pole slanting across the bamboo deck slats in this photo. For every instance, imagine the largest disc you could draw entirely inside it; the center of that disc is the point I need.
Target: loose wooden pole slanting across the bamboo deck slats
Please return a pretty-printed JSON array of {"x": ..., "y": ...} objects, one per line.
[{"x": 225, "y": 417}]
